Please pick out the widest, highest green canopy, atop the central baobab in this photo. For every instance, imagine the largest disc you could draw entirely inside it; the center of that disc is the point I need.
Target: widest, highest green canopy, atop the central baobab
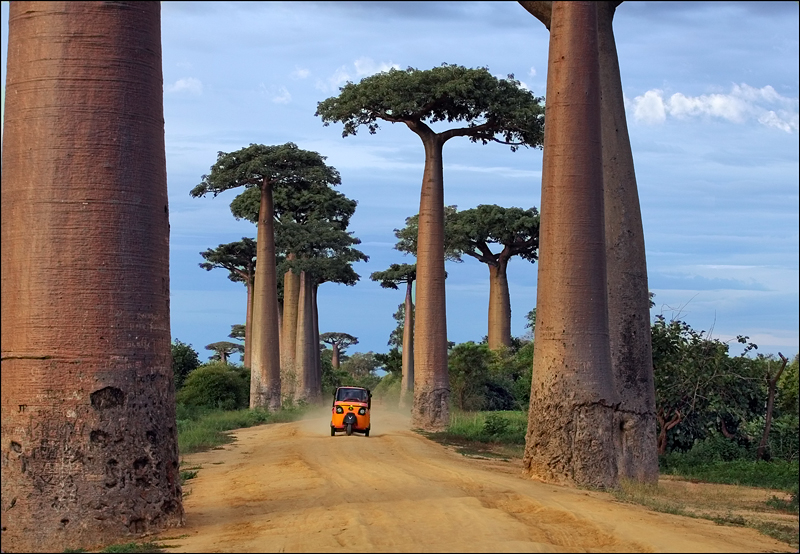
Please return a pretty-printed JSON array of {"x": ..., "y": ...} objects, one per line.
[{"x": 497, "y": 110}]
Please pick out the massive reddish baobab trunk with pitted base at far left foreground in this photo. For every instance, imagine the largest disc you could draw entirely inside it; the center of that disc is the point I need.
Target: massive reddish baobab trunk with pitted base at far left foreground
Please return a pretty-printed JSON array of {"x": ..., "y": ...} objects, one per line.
[{"x": 89, "y": 449}]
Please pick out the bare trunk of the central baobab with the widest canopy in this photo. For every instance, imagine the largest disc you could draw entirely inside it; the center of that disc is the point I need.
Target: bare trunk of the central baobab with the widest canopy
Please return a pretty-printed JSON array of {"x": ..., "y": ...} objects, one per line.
[{"x": 431, "y": 382}]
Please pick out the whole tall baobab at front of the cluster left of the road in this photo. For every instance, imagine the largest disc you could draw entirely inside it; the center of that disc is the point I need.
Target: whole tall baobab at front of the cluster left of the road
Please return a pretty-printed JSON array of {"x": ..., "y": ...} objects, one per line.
[{"x": 267, "y": 168}]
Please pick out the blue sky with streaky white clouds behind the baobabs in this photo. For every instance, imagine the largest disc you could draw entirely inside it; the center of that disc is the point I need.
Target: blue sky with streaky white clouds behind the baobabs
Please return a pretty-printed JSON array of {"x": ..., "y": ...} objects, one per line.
[{"x": 712, "y": 104}]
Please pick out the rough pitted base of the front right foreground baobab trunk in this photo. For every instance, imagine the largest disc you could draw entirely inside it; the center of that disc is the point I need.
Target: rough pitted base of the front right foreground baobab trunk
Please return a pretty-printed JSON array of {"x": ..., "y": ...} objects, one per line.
[{"x": 572, "y": 444}]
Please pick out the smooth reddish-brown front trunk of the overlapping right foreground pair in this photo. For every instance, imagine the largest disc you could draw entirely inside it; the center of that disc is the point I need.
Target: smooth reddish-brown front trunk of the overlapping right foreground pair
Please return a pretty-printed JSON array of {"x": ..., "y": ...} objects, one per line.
[{"x": 571, "y": 435}]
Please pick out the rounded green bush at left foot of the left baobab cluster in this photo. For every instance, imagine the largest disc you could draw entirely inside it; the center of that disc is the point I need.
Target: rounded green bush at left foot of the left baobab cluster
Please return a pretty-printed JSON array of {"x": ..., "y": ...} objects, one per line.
[{"x": 216, "y": 385}]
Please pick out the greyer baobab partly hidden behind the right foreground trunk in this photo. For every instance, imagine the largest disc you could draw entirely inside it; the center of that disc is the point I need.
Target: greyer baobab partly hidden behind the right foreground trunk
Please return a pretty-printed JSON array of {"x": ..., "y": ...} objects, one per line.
[{"x": 626, "y": 265}]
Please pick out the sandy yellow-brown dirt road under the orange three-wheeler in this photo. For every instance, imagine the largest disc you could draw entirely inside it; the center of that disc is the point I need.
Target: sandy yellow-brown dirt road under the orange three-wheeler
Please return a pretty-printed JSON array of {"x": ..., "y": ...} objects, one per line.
[{"x": 292, "y": 487}]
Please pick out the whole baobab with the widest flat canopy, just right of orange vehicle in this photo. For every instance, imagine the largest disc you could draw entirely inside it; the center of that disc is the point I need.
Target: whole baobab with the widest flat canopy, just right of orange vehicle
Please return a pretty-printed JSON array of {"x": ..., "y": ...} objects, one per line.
[{"x": 494, "y": 110}]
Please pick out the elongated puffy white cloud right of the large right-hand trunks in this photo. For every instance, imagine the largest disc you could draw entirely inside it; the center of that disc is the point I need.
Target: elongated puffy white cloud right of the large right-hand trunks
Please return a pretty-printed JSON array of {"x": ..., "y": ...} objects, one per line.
[{"x": 744, "y": 103}]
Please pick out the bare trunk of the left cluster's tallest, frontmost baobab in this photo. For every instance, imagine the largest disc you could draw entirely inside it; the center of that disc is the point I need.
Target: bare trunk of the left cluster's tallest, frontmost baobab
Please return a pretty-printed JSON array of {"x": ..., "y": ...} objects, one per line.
[{"x": 265, "y": 374}]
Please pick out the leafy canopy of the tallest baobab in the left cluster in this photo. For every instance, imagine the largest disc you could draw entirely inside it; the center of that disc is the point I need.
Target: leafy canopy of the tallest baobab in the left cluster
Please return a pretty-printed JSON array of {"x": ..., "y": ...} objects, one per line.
[{"x": 281, "y": 166}]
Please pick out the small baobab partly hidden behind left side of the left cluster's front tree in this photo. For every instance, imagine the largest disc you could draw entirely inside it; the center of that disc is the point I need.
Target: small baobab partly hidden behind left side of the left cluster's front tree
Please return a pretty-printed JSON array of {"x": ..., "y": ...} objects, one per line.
[{"x": 239, "y": 258}]
